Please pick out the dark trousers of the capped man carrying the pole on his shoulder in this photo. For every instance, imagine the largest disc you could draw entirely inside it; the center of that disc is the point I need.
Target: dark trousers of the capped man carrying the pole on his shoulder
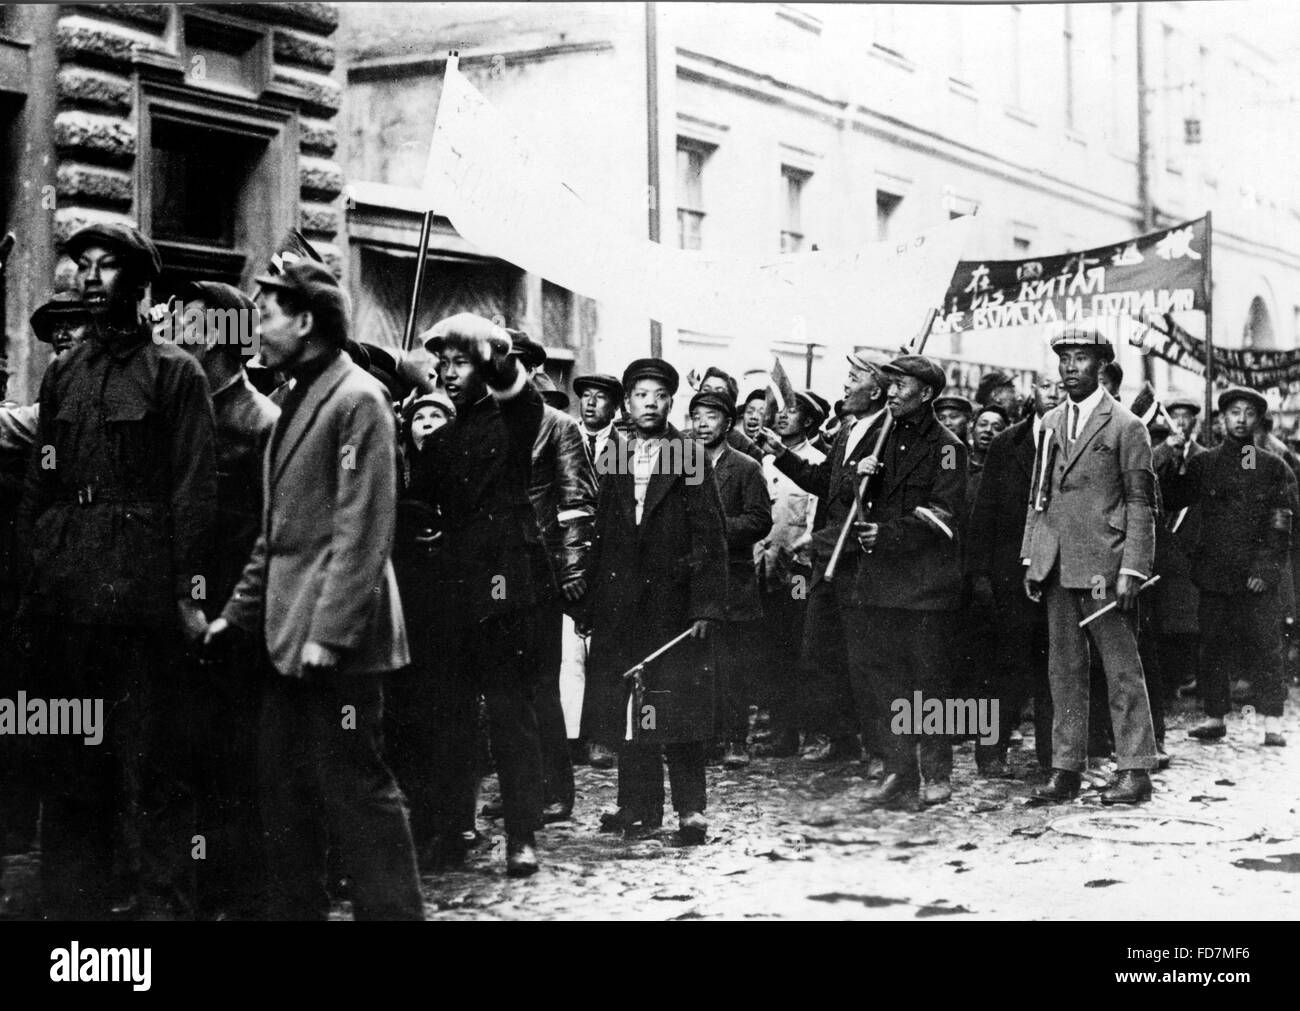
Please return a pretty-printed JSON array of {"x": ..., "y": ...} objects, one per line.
[{"x": 909, "y": 652}]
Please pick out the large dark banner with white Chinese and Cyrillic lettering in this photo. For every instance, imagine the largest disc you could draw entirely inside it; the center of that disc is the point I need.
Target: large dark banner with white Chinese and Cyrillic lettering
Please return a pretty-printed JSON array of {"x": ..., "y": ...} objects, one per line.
[{"x": 1154, "y": 275}]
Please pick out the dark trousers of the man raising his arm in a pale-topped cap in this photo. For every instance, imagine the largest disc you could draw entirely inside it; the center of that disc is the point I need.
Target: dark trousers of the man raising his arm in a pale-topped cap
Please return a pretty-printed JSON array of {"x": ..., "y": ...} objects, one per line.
[{"x": 499, "y": 661}]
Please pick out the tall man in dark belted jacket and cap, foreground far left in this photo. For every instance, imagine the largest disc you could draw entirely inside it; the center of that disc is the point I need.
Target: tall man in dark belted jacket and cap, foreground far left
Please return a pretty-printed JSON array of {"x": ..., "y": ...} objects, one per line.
[{"x": 119, "y": 517}]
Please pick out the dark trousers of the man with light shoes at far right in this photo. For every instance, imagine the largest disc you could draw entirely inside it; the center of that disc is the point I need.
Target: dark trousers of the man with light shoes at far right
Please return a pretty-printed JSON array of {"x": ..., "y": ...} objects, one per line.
[{"x": 1242, "y": 633}]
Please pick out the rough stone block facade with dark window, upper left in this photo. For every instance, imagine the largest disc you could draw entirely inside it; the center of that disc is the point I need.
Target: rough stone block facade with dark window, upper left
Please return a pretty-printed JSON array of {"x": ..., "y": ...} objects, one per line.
[{"x": 213, "y": 127}]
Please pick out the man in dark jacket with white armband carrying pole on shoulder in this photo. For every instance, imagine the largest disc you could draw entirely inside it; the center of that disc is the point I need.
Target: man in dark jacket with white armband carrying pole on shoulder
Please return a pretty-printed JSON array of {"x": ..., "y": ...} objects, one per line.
[{"x": 909, "y": 582}]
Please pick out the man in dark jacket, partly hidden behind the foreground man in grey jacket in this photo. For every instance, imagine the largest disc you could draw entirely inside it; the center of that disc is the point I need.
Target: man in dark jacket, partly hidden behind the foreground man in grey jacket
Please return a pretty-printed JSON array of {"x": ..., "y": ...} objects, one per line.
[{"x": 228, "y": 688}]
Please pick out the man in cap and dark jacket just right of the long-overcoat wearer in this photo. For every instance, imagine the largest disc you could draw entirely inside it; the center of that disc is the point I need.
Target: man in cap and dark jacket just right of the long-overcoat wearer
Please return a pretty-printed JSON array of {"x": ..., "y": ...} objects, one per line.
[{"x": 747, "y": 518}]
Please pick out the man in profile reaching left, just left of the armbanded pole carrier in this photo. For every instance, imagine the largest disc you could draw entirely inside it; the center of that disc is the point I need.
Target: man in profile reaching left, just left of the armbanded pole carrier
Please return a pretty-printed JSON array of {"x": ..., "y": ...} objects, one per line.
[{"x": 837, "y": 710}]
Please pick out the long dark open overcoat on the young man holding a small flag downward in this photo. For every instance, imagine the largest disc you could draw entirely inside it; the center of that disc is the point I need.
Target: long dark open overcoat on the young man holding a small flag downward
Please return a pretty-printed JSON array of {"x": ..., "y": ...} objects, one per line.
[{"x": 648, "y": 584}]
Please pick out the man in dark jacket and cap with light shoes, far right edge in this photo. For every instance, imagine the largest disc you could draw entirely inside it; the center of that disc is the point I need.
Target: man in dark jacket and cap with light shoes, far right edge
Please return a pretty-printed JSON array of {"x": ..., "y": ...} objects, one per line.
[{"x": 1238, "y": 562}]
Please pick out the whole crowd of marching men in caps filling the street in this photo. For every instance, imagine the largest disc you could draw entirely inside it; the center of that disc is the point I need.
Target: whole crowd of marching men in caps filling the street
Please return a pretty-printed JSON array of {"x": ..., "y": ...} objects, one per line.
[{"x": 323, "y": 598}]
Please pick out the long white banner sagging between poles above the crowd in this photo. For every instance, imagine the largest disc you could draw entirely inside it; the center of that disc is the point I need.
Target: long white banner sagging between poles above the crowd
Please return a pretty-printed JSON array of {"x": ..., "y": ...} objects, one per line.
[{"x": 486, "y": 177}]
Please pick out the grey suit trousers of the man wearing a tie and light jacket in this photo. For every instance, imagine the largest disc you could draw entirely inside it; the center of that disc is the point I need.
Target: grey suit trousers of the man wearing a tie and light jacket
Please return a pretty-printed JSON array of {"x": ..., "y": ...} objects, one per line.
[{"x": 1115, "y": 637}]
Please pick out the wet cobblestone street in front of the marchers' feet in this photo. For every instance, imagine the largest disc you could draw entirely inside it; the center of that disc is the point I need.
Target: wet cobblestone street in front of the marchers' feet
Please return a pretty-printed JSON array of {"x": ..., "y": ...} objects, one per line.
[{"x": 788, "y": 840}]
